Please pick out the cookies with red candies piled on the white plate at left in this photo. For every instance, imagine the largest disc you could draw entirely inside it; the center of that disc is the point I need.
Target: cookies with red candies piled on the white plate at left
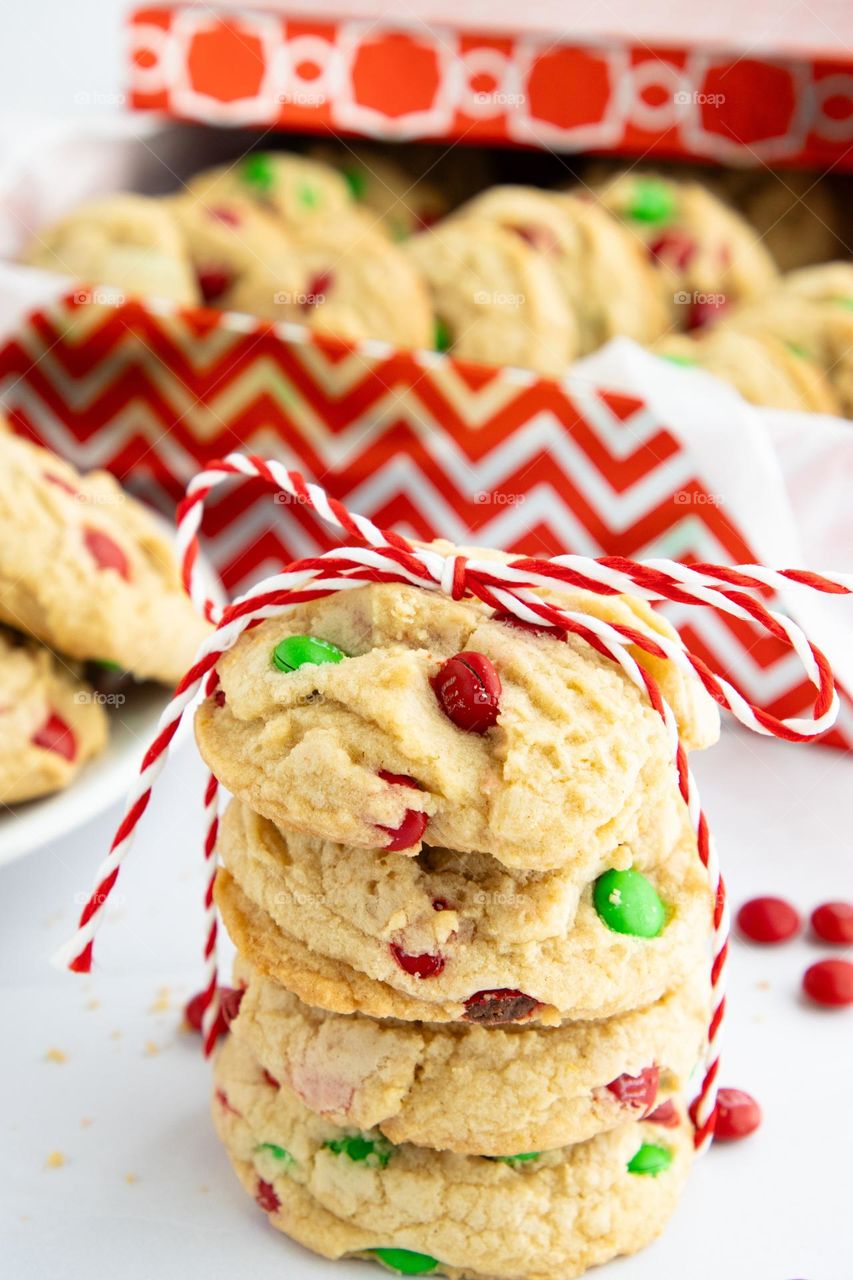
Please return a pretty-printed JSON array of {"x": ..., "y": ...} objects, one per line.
[{"x": 90, "y": 601}]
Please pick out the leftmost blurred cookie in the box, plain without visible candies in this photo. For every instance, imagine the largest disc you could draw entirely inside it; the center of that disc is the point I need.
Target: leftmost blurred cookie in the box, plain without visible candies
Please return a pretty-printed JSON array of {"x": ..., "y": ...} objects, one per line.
[{"x": 130, "y": 243}]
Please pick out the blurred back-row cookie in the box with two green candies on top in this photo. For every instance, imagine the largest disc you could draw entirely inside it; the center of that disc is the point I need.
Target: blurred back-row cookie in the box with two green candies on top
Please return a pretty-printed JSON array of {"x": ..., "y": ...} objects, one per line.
[{"x": 294, "y": 189}]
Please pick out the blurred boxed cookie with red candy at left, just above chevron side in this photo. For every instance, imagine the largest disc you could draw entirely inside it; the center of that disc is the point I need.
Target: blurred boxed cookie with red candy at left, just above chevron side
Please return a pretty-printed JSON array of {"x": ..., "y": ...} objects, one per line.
[{"x": 358, "y": 286}]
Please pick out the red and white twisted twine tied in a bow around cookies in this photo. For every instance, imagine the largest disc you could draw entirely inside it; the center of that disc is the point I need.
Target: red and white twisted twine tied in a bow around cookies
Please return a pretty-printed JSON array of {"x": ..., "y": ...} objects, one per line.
[{"x": 387, "y": 557}]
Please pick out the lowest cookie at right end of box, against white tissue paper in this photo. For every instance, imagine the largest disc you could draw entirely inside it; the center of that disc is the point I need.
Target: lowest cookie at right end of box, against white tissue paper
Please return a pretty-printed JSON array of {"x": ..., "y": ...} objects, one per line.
[{"x": 764, "y": 369}]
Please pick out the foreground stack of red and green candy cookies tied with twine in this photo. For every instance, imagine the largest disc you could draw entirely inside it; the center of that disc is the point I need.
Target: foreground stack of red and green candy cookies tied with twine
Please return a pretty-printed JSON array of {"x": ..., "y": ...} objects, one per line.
[{"x": 473, "y": 934}]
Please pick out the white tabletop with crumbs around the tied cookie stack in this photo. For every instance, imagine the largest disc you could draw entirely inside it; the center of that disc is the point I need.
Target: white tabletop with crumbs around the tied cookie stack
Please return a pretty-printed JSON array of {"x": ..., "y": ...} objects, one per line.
[{"x": 147, "y": 1192}]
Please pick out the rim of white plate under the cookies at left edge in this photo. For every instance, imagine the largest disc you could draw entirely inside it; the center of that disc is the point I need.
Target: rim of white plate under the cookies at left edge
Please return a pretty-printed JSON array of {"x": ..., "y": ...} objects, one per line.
[{"x": 101, "y": 784}]
